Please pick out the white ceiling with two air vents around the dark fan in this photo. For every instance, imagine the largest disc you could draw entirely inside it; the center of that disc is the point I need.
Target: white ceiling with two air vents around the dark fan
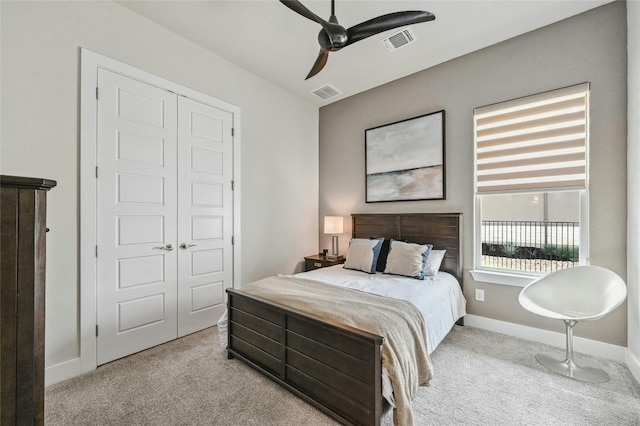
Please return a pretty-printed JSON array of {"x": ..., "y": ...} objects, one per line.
[{"x": 273, "y": 42}]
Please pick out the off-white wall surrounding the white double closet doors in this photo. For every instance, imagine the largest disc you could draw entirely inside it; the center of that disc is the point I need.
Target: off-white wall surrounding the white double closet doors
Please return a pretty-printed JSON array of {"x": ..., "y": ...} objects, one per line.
[{"x": 40, "y": 72}]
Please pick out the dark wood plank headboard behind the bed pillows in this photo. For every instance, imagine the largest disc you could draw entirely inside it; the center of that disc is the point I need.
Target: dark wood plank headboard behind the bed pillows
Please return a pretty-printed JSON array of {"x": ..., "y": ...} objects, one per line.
[{"x": 442, "y": 230}]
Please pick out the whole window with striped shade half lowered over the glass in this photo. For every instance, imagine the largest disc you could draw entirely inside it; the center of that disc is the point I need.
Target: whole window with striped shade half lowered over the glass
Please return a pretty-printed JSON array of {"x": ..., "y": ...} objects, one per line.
[{"x": 531, "y": 182}]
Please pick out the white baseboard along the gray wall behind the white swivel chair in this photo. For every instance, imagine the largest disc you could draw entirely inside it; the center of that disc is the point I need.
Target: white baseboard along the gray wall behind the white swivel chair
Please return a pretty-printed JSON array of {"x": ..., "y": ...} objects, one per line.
[{"x": 581, "y": 345}]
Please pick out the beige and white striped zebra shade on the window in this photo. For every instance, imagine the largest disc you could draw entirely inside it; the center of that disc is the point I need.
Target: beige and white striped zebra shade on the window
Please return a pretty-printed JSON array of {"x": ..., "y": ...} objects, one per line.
[{"x": 534, "y": 143}]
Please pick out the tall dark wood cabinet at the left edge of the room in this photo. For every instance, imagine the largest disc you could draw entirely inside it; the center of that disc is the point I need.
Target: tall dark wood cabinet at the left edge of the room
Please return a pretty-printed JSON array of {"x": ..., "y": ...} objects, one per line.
[{"x": 23, "y": 210}]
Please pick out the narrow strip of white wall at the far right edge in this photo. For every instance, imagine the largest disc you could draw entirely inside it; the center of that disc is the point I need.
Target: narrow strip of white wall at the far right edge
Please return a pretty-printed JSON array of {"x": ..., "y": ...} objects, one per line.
[{"x": 633, "y": 185}]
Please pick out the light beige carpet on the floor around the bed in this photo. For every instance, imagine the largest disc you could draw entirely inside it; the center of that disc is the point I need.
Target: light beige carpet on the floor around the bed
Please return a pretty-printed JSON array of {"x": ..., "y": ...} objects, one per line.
[{"x": 481, "y": 378}]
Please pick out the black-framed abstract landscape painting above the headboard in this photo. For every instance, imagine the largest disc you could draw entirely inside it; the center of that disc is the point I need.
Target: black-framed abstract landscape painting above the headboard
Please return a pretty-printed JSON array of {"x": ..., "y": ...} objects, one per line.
[{"x": 405, "y": 160}]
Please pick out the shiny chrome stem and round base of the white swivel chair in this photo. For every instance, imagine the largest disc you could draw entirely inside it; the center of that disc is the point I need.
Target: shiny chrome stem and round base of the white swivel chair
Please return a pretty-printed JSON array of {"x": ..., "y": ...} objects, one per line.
[{"x": 586, "y": 372}]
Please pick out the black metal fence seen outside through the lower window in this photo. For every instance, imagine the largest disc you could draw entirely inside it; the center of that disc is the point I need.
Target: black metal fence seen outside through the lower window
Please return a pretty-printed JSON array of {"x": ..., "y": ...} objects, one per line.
[{"x": 534, "y": 246}]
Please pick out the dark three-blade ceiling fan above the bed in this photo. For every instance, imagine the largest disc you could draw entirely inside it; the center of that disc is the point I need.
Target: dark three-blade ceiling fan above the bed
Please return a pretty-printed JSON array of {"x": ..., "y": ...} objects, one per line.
[{"x": 333, "y": 36}]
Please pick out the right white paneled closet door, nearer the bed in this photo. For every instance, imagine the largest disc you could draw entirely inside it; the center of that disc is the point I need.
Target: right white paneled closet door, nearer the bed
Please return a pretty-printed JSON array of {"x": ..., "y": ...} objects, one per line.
[{"x": 205, "y": 214}]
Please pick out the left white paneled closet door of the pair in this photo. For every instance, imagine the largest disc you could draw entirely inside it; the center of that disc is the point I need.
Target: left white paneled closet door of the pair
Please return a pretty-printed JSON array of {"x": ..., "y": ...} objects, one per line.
[{"x": 137, "y": 194}]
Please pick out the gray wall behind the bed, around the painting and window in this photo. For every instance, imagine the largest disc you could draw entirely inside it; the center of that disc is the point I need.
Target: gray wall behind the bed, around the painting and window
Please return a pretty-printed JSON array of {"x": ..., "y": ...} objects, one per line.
[{"x": 588, "y": 47}]
